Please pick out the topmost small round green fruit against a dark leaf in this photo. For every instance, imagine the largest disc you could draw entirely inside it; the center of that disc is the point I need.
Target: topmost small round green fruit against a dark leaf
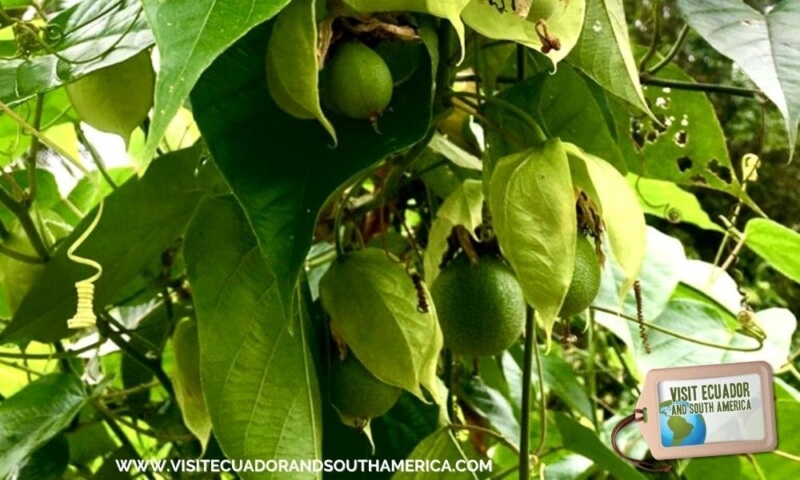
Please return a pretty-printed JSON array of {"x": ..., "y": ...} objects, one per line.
[{"x": 359, "y": 82}]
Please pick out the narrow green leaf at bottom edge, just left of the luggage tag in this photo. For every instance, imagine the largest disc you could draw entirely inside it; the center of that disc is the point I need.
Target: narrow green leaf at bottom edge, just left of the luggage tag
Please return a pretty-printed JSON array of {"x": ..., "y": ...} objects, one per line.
[{"x": 581, "y": 440}]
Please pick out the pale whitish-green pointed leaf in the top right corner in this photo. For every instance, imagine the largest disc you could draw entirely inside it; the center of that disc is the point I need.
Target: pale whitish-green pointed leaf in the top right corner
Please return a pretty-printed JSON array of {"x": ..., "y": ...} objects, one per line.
[{"x": 764, "y": 45}]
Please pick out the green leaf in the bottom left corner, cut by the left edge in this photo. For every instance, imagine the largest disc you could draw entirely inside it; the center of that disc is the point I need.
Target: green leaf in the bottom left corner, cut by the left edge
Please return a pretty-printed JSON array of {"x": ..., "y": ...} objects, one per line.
[{"x": 34, "y": 415}]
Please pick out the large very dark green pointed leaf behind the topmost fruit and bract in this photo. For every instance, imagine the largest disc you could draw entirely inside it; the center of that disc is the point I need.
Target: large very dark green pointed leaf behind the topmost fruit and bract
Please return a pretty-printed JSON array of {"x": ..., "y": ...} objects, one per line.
[{"x": 282, "y": 169}]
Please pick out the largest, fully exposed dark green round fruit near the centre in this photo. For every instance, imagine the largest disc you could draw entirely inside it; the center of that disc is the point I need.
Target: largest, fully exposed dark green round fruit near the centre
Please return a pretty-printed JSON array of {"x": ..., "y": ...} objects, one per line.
[{"x": 481, "y": 307}]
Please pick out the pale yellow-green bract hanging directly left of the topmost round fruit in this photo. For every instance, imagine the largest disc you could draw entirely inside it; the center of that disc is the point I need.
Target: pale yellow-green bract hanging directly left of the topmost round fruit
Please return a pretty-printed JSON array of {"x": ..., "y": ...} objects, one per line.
[{"x": 293, "y": 65}]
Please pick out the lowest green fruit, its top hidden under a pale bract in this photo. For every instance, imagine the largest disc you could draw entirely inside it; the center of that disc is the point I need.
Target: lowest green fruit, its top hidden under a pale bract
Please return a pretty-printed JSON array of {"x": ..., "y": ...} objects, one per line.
[{"x": 357, "y": 393}]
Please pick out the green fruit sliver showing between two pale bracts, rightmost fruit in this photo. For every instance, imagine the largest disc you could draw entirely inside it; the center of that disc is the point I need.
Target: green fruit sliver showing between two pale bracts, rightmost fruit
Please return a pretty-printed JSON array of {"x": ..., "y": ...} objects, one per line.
[{"x": 585, "y": 279}]
